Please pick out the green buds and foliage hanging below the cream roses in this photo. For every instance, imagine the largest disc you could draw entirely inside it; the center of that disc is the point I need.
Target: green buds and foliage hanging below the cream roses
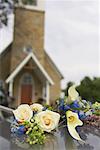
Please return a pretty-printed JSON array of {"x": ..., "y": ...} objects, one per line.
[{"x": 35, "y": 135}]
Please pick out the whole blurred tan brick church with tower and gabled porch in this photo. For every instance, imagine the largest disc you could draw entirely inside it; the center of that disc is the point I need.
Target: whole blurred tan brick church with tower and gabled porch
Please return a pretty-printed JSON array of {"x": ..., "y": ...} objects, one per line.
[{"x": 25, "y": 67}]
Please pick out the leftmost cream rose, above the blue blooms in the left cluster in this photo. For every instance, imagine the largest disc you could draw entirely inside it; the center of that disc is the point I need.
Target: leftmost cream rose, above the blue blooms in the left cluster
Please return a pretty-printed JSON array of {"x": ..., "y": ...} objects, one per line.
[{"x": 23, "y": 113}]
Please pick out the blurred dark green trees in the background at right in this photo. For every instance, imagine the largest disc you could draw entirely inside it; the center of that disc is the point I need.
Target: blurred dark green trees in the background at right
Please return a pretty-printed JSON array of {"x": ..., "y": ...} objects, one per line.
[{"x": 88, "y": 89}]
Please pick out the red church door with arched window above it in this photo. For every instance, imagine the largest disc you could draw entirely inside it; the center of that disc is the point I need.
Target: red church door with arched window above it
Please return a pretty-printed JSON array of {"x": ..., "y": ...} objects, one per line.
[{"x": 26, "y": 93}]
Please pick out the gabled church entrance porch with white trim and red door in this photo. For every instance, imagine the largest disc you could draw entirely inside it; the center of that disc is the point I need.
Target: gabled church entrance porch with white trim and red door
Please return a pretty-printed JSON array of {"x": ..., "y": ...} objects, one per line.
[{"x": 29, "y": 82}]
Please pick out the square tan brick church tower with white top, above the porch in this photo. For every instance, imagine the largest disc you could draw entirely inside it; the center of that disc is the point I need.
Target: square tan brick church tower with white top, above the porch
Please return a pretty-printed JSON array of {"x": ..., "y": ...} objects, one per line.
[{"x": 28, "y": 31}]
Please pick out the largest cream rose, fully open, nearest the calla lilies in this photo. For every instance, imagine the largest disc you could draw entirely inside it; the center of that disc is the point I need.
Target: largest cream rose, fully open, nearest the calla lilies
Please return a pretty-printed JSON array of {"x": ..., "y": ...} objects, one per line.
[{"x": 47, "y": 120}]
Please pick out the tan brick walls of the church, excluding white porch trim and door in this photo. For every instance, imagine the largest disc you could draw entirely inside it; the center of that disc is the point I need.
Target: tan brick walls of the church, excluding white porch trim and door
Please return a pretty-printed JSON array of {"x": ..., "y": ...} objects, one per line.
[{"x": 29, "y": 33}]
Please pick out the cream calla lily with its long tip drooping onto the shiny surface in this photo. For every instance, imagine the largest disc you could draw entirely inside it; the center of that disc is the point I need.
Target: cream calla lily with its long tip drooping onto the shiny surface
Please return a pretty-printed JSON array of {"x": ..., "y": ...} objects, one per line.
[{"x": 73, "y": 121}]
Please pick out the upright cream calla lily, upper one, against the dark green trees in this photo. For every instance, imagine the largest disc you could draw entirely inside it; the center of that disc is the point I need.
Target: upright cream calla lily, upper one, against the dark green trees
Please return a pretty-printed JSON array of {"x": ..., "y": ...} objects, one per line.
[{"x": 72, "y": 94}]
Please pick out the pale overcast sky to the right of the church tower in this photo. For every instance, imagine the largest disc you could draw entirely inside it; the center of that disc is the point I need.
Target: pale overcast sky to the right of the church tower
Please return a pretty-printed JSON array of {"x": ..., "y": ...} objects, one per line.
[{"x": 72, "y": 37}]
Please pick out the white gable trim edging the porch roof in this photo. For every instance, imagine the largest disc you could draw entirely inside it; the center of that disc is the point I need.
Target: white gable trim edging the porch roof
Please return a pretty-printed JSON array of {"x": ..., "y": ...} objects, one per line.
[{"x": 23, "y": 63}]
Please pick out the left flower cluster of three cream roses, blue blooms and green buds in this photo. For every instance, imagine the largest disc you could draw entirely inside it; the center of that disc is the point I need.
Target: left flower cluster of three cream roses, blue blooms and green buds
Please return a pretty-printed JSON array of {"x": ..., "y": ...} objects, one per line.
[{"x": 34, "y": 122}]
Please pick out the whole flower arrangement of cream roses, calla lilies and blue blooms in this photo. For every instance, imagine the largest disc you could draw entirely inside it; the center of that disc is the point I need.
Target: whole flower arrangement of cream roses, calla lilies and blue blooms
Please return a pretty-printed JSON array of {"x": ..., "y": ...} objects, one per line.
[{"x": 36, "y": 121}]
